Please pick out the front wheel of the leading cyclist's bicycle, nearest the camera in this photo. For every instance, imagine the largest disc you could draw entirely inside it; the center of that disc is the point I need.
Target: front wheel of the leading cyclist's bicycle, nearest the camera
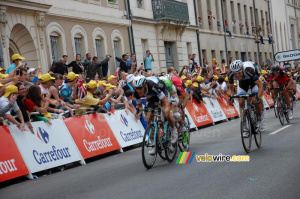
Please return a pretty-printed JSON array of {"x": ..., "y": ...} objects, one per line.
[{"x": 147, "y": 145}]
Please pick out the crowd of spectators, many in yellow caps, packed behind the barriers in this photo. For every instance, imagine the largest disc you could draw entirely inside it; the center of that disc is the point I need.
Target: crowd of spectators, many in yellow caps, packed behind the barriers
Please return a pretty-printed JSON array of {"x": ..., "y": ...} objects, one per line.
[{"x": 32, "y": 96}]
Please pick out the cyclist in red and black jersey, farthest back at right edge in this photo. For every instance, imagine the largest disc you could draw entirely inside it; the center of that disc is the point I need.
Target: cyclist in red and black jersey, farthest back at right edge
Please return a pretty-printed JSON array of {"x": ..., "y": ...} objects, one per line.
[{"x": 279, "y": 78}]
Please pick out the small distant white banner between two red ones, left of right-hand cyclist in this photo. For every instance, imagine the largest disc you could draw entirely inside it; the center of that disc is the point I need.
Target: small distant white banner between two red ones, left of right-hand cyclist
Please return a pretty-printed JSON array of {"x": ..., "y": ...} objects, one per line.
[{"x": 214, "y": 109}]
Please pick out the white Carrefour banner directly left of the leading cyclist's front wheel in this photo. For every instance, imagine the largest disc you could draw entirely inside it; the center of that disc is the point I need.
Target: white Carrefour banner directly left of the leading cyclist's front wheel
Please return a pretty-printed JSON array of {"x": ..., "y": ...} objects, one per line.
[{"x": 127, "y": 131}]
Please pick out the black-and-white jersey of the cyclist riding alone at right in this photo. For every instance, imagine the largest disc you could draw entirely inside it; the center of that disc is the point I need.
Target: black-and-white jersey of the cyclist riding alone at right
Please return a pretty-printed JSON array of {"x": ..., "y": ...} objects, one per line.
[{"x": 248, "y": 79}]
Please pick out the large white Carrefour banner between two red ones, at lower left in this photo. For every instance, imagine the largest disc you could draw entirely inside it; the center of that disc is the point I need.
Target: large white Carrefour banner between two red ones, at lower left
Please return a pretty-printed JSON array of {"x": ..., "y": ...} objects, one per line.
[{"x": 48, "y": 147}]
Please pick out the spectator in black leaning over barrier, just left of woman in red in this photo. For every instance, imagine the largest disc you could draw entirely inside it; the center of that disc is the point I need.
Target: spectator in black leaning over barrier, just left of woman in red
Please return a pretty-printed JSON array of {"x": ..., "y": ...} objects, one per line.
[{"x": 22, "y": 94}]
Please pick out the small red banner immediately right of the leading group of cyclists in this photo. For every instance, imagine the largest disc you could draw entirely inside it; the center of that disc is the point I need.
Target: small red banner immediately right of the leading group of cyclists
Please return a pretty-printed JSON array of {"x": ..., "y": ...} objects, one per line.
[{"x": 199, "y": 113}]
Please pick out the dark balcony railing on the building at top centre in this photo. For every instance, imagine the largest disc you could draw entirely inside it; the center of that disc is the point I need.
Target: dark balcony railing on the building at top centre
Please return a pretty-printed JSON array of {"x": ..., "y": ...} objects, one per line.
[{"x": 170, "y": 10}]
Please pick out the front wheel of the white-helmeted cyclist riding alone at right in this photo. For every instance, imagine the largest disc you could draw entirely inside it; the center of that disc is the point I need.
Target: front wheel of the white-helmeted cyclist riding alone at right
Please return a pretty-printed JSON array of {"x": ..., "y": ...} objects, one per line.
[{"x": 246, "y": 130}]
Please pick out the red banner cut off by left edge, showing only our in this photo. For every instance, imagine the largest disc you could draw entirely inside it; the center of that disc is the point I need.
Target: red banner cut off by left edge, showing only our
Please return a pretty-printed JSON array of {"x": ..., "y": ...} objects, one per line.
[{"x": 11, "y": 162}]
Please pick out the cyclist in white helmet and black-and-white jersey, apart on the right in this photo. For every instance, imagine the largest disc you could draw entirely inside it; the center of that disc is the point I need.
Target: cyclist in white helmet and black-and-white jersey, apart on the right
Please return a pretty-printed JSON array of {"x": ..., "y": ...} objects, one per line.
[{"x": 248, "y": 82}]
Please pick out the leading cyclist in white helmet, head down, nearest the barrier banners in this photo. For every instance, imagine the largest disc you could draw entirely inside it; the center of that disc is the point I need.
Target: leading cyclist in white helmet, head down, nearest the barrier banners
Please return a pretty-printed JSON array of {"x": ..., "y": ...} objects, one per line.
[{"x": 155, "y": 91}]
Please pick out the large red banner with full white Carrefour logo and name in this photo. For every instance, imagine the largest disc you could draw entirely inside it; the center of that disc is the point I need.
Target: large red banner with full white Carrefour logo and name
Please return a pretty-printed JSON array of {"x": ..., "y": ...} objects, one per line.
[{"x": 92, "y": 135}]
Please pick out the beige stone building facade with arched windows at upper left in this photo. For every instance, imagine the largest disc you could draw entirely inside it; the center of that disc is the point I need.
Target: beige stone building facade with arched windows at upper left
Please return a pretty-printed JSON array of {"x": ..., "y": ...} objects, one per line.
[{"x": 42, "y": 31}]
